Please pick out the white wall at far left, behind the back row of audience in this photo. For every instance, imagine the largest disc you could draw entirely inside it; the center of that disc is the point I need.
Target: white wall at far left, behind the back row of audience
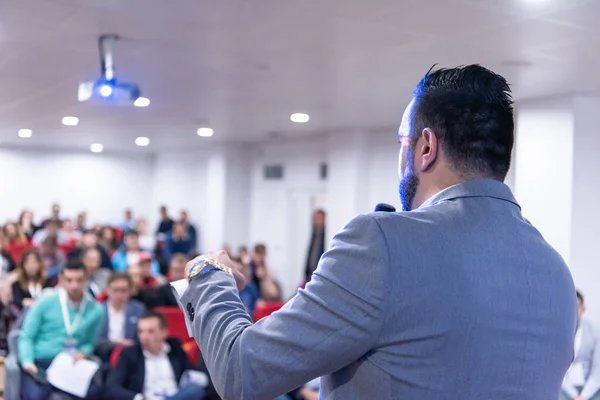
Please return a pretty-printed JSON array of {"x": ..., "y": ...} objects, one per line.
[{"x": 100, "y": 184}]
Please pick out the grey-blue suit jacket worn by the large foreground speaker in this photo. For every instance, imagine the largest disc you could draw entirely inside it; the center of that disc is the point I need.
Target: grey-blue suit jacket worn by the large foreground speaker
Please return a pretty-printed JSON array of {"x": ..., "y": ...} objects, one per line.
[{"x": 459, "y": 299}]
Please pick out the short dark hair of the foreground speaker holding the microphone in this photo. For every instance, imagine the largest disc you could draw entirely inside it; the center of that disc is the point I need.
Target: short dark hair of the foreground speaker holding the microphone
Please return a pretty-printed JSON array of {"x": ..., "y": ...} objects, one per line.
[{"x": 470, "y": 110}]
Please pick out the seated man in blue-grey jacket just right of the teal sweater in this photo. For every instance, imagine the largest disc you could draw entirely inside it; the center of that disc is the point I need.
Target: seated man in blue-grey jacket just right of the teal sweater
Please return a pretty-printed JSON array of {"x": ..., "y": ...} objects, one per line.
[{"x": 121, "y": 316}]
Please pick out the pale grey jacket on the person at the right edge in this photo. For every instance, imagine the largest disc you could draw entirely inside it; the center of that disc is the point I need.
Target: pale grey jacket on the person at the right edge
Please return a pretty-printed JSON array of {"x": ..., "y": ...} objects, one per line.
[{"x": 589, "y": 357}]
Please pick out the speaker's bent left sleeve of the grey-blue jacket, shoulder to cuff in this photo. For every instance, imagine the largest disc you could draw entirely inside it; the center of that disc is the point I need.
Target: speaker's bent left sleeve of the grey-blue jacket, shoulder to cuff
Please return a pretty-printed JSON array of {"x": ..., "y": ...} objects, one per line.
[{"x": 331, "y": 323}]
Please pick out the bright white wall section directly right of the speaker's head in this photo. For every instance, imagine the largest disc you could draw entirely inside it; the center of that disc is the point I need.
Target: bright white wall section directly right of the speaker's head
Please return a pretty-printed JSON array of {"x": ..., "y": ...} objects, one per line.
[{"x": 544, "y": 169}]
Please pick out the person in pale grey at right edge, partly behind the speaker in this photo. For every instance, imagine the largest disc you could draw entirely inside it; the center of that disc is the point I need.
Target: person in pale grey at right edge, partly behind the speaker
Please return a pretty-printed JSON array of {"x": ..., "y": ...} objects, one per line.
[{"x": 582, "y": 381}]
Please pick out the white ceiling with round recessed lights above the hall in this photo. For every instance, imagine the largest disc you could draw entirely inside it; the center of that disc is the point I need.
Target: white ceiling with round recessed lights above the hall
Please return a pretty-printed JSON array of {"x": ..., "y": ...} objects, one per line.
[{"x": 242, "y": 67}]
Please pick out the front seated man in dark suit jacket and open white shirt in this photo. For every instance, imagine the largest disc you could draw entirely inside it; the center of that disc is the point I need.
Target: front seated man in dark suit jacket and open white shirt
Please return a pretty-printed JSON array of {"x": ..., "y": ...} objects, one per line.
[{"x": 152, "y": 369}]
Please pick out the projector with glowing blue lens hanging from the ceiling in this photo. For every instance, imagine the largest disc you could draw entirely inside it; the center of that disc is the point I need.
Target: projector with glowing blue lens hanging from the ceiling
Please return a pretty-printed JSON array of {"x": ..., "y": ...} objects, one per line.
[{"x": 107, "y": 89}]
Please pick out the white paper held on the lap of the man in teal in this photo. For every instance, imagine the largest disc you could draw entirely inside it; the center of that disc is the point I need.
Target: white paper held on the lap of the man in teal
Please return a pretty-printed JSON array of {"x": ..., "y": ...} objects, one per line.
[{"x": 69, "y": 376}]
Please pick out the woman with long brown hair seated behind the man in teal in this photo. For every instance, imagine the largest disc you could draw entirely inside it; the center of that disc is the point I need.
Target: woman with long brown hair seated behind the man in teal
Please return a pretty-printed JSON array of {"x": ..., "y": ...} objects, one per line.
[{"x": 30, "y": 280}]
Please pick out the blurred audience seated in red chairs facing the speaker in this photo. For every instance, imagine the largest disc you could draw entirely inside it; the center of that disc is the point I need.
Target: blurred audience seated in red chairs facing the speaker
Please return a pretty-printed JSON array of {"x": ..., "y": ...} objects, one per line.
[{"x": 102, "y": 292}]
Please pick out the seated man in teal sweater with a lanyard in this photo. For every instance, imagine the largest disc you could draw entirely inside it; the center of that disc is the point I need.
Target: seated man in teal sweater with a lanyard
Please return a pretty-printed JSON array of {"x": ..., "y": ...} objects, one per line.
[{"x": 68, "y": 320}]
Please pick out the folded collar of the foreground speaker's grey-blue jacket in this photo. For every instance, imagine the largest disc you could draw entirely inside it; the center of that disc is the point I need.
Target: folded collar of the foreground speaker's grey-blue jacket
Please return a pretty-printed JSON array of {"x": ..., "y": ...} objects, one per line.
[{"x": 475, "y": 188}]
